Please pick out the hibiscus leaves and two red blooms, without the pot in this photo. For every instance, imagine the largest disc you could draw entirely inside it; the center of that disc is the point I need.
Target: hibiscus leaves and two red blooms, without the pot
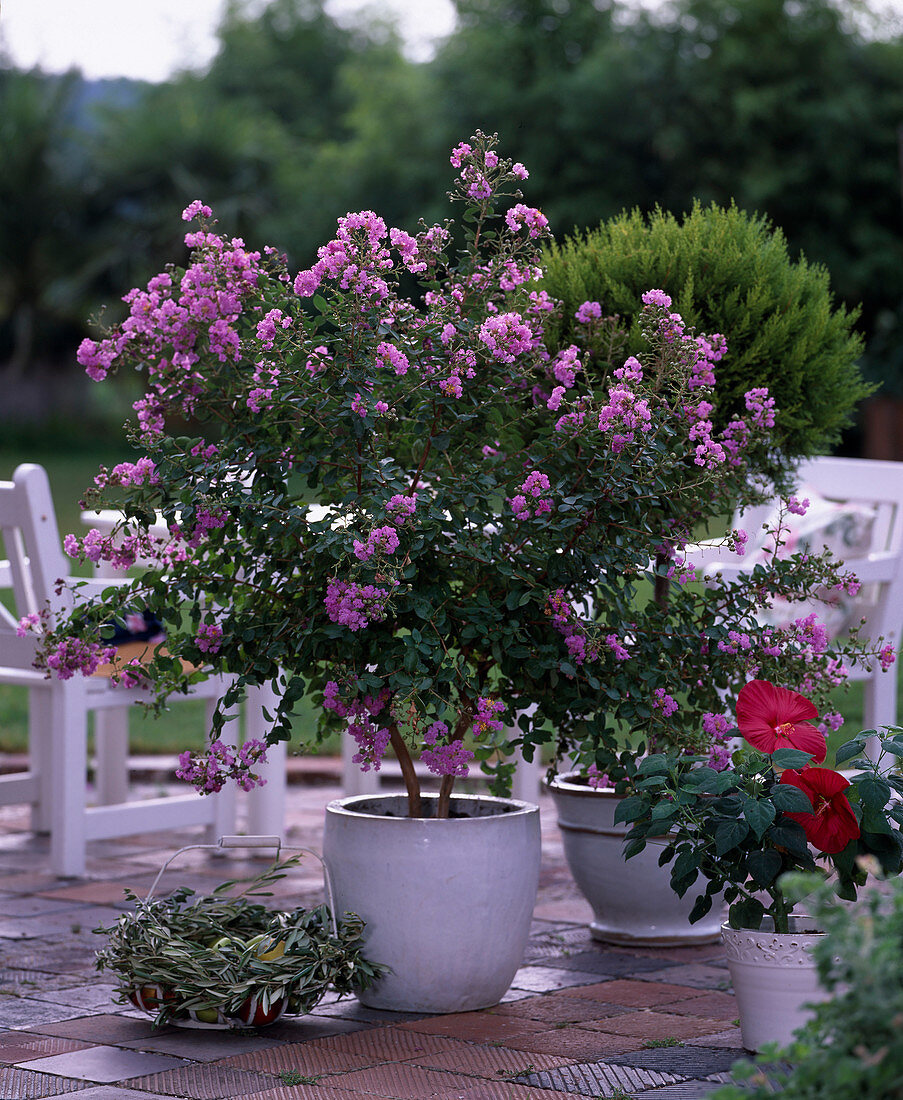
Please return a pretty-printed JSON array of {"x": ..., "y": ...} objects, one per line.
[{"x": 772, "y": 812}]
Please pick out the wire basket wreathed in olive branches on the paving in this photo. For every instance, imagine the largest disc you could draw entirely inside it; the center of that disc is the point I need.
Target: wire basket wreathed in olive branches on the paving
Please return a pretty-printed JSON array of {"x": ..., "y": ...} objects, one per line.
[{"x": 229, "y": 962}]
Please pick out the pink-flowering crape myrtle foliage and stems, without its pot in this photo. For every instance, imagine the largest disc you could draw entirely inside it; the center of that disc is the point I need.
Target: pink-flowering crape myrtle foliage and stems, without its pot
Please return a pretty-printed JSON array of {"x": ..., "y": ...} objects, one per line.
[{"x": 413, "y": 510}]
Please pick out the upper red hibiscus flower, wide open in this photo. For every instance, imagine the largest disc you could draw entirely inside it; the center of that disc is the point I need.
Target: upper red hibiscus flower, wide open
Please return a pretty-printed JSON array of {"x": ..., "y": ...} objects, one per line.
[{"x": 773, "y": 718}]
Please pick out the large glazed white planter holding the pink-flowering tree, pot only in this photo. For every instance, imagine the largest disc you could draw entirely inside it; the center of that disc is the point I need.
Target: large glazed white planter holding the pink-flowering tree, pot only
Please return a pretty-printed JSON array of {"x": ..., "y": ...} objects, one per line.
[{"x": 447, "y": 903}]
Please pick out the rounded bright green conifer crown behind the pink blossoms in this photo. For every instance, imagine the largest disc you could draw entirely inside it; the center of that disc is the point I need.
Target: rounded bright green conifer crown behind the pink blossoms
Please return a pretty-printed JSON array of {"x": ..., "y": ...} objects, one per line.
[{"x": 728, "y": 272}]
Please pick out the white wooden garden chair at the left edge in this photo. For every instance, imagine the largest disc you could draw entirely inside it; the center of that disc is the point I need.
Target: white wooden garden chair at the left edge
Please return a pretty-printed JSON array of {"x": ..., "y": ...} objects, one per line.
[{"x": 56, "y": 784}]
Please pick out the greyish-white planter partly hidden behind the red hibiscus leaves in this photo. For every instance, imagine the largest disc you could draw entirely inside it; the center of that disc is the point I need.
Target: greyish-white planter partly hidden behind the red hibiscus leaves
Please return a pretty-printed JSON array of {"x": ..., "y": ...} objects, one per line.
[{"x": 632, "y": 899}]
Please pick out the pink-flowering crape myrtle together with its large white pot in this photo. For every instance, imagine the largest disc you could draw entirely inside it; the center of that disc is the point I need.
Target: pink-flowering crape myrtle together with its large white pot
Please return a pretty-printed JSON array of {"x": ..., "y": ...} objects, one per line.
[{"x": 404, "y": 508}]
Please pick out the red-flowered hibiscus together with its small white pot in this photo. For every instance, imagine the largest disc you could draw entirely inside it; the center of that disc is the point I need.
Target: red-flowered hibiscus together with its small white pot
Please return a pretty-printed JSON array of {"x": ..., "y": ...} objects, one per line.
[{"x": 742, "y": 829}]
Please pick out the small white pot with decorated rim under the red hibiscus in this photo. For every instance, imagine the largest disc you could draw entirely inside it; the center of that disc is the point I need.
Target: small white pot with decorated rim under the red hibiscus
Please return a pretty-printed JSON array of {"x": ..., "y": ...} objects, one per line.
[{"x": 774, "y": 976}]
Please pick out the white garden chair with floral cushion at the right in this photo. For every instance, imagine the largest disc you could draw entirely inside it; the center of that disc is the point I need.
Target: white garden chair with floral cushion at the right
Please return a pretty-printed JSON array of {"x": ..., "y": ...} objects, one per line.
[{"x": 875, "y": 490}]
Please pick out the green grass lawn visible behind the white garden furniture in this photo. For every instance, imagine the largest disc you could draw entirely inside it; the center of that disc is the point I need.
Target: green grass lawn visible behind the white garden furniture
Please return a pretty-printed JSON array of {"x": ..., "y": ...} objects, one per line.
[{"x": 183, "y": 727}]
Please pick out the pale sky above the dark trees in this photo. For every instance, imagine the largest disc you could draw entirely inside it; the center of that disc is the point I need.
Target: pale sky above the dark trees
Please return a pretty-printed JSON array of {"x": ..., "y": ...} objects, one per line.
[{"x": 152, "y": 40}]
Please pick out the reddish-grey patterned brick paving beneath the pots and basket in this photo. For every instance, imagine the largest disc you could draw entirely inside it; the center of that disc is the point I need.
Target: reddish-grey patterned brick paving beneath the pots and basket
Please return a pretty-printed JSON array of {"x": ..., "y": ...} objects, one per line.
[{"x": 581, "y": 1019}]
